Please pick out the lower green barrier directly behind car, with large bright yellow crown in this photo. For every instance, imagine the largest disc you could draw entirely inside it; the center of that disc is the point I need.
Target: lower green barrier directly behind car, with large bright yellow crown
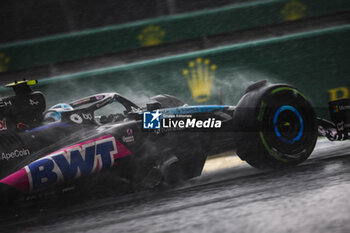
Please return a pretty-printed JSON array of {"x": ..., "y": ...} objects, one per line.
[{"x": 316, "y": 62}]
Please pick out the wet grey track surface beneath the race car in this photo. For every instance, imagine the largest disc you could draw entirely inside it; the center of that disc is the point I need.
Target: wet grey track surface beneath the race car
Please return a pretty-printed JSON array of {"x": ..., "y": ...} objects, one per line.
[{"x": 313, "y": 197}]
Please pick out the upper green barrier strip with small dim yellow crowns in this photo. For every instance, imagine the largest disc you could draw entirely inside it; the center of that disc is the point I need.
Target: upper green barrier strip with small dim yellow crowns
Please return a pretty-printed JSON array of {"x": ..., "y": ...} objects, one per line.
[{"x": 106, "y": 40}]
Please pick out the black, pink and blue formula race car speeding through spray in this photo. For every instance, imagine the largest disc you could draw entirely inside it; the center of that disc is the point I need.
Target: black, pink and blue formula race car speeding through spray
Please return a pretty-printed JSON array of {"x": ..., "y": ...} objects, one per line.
[{"x": 272, "y": 126}]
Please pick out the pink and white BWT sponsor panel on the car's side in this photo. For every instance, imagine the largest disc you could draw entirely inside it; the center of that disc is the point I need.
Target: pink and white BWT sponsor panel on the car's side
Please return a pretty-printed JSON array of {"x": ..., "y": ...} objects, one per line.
[{"x": 67, "y": 164}]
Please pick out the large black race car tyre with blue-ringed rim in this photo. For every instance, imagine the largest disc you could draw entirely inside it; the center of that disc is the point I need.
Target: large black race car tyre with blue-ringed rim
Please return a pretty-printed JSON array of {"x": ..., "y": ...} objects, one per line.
[{"x": 279, "y": 127}]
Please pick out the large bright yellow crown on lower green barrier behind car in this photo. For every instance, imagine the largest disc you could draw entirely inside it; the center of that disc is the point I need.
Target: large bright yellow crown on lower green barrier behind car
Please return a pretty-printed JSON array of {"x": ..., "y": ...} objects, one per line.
[{"x": 200, "y": 76}]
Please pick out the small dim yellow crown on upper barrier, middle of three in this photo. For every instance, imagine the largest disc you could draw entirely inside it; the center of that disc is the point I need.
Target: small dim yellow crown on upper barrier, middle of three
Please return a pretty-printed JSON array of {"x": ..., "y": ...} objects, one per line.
[{"x": 151, "y": 35}]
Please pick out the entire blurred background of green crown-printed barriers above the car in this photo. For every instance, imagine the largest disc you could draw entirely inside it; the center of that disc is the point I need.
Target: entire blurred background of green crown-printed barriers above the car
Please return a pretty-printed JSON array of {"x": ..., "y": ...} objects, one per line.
[{"x": 204, "y": 52}]
